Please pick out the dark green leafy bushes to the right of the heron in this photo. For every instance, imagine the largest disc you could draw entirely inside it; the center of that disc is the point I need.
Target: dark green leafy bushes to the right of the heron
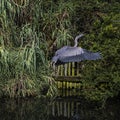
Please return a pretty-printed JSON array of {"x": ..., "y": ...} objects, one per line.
[{"x": 101, "y": 79}]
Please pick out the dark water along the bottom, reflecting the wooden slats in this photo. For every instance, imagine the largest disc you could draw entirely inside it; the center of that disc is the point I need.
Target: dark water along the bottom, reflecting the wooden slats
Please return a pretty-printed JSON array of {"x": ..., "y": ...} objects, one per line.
[{"x": 67, "y": 108}]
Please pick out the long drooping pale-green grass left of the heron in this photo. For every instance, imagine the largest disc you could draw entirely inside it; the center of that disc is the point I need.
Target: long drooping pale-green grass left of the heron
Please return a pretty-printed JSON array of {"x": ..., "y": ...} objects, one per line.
[{"x": 23, "y": 64}]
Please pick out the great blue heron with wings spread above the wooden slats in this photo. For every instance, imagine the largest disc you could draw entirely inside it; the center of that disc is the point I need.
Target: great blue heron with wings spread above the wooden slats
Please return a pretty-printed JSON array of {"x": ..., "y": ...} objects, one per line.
[{"x": 73, "y": 54}]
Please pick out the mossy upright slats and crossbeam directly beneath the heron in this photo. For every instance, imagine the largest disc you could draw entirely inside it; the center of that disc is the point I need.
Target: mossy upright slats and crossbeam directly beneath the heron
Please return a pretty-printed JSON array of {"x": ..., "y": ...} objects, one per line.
[{"x": 68, "y": 72}]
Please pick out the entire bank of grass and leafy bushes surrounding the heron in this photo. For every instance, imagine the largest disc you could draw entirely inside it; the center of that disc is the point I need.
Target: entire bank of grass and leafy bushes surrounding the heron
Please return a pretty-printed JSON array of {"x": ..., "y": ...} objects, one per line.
[{"x": 29, "y": 30}]
